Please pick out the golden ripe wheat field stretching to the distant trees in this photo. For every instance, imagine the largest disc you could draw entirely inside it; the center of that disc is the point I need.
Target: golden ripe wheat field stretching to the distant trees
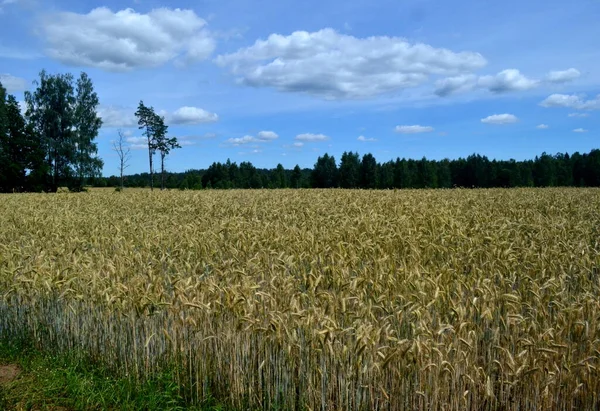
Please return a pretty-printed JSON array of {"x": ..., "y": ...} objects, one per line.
[{"x": 318, "y": 299}]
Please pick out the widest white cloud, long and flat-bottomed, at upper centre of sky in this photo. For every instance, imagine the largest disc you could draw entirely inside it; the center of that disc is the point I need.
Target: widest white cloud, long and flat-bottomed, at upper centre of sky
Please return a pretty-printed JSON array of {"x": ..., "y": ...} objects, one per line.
[{"x": 338, "y": 66}]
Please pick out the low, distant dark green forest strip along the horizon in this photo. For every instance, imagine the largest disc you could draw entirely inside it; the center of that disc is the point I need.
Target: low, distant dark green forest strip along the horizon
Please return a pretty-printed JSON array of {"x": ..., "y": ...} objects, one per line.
[{"x": 354, "y": 171}]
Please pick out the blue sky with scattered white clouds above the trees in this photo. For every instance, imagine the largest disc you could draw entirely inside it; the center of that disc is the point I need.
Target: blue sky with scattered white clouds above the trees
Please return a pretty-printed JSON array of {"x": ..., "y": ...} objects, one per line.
[{"x": 282, "y": 81}]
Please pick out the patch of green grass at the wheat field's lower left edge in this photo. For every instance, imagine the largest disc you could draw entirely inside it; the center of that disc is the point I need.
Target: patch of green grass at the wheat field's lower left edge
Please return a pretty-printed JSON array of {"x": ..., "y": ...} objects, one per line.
[{"x": 69, "y": 382}]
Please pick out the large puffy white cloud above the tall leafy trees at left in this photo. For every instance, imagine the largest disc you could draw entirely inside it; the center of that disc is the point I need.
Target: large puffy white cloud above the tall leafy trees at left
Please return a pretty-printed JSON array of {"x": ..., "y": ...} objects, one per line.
[{"x": 125, "y": 40}]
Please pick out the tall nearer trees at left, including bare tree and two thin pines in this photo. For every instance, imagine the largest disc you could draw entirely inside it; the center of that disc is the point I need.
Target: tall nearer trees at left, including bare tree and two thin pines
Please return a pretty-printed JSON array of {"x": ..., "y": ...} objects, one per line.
[{"x": 50, "y": 142}]
